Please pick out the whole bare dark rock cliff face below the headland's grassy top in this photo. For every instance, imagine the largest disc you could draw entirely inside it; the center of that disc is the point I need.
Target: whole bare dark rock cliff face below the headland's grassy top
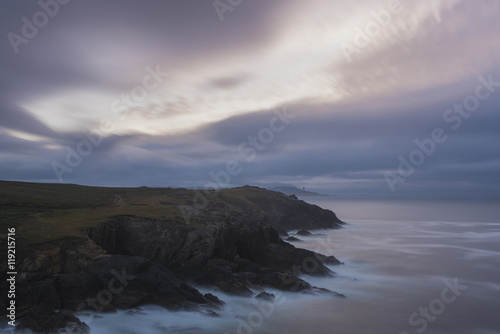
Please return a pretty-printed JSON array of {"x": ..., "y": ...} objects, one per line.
[{"x": 130, "y": 261}]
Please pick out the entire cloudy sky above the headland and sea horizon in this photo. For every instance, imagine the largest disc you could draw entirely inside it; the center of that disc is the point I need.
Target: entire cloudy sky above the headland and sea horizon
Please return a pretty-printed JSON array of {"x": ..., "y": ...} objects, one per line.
[{"x": 359, "y": 97}]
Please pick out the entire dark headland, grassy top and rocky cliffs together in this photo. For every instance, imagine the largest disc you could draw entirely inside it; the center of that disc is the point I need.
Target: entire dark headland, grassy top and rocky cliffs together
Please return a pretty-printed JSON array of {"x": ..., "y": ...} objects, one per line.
[{"x": 158, "y": 242}]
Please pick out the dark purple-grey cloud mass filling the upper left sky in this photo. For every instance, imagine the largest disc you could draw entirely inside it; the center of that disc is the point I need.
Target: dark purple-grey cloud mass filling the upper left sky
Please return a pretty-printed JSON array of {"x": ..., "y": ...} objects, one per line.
[{"x": 158, "y": 31}]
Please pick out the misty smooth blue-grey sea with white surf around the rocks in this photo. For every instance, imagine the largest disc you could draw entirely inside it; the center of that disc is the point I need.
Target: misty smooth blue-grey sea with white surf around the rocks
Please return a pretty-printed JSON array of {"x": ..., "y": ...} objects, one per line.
[{"x": 410, "y": 267}]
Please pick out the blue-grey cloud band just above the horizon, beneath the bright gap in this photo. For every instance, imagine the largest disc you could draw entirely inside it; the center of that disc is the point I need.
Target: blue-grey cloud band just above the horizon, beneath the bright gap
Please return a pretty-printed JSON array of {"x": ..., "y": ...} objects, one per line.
[{"x": 314, "y": 144}]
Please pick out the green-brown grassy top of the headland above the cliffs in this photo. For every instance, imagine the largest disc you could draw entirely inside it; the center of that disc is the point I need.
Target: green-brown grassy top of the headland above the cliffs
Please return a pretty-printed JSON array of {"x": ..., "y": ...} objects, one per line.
[{"x": 45, "y": 212}]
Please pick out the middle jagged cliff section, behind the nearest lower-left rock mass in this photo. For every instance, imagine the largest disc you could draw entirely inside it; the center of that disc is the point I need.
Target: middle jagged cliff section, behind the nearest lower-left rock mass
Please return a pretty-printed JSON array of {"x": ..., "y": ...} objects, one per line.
[{"x": 236, "y": 251}]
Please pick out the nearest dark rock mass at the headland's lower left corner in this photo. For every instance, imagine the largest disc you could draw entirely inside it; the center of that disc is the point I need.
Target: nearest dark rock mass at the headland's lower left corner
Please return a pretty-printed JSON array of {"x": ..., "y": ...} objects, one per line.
[{"x": 53, "y": 279}]
